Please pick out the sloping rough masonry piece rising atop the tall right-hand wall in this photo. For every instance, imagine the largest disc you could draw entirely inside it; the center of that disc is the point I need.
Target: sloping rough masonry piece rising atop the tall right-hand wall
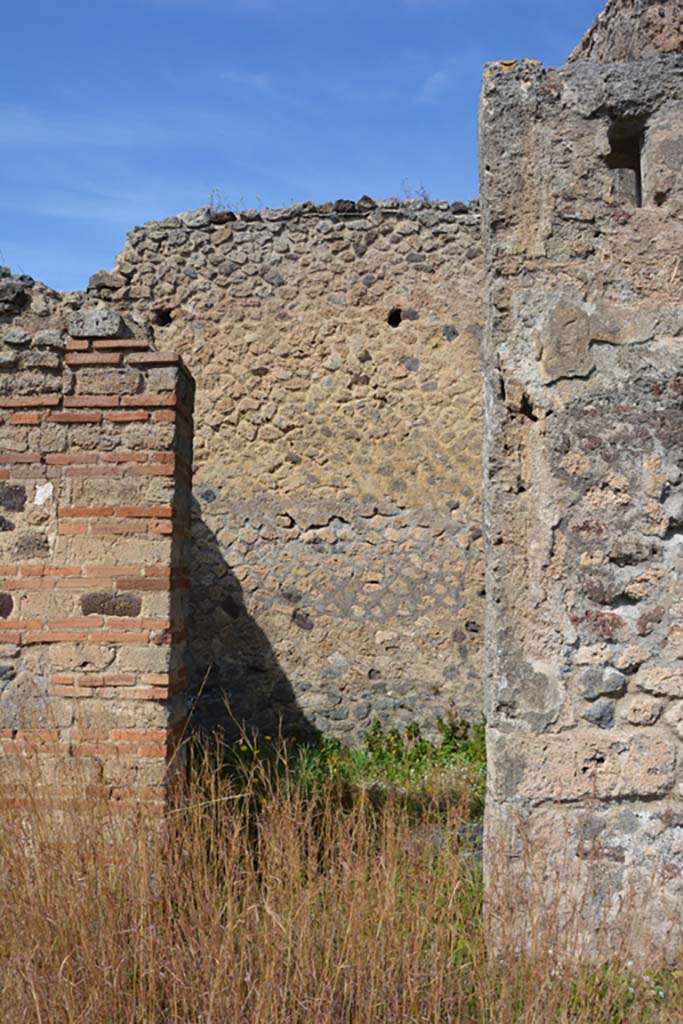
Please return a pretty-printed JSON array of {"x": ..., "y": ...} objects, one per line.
[{"x": 632, "y": 30}]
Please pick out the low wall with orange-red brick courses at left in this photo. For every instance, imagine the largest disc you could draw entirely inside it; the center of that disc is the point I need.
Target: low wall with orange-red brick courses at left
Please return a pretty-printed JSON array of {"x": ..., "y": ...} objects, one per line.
[{"x": 96, "y": 453}]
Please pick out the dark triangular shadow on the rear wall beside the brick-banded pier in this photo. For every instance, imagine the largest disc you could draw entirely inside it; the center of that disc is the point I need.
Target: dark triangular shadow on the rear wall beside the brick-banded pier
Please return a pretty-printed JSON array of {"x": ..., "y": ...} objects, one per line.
[{"x": 236, "y": 681}]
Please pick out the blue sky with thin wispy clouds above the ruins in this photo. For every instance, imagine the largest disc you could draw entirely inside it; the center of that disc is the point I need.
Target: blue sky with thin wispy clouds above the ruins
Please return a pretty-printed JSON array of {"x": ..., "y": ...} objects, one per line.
[{"x": 117, "y": 112}]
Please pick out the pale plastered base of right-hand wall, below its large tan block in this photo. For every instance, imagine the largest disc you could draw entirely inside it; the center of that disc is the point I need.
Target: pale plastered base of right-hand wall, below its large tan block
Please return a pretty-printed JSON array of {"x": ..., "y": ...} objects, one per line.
[{"x": 594, "y": 870}]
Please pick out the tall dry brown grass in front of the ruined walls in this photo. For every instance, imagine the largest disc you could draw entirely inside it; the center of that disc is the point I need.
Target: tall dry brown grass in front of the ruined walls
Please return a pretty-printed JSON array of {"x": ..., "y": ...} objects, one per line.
[{"x": 278, "y": 905}]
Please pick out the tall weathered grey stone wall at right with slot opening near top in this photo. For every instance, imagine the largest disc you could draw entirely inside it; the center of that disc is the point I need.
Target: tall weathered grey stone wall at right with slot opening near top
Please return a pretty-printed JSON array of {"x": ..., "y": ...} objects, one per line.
[{"x": 583, "y": 483}]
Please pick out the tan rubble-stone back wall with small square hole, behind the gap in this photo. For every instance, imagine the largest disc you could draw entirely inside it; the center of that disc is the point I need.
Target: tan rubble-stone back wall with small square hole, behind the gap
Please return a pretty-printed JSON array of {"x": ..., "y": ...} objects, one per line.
[{"x": 337, "y": 562}]
